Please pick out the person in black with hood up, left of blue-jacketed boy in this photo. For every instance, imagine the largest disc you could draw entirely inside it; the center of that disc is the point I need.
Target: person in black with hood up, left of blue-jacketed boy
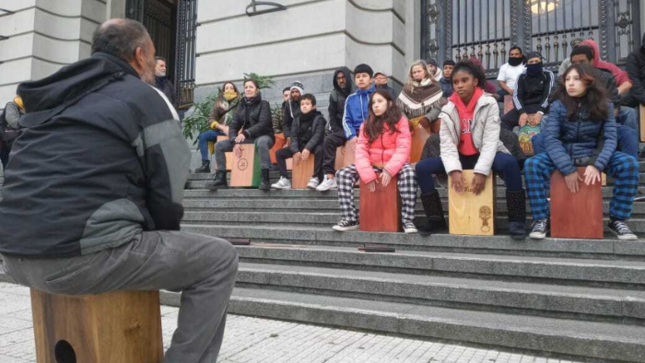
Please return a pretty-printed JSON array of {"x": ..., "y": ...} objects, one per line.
[{"x": 335, "y": 134}]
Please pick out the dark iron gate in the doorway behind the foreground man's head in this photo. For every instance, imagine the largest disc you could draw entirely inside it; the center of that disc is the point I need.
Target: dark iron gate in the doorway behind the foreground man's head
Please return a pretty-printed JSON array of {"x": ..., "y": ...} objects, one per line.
[{"x": 173, "y": 31}]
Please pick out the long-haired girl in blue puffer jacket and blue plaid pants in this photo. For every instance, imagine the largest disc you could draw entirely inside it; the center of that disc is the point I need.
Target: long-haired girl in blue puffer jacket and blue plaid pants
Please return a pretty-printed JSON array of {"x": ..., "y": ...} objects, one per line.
[{"x": 581, "y": 131}]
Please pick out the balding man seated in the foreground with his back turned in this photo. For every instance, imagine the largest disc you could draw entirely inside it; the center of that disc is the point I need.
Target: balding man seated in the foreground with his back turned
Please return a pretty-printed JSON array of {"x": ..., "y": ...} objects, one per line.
[{"x": 92, "y": 200}]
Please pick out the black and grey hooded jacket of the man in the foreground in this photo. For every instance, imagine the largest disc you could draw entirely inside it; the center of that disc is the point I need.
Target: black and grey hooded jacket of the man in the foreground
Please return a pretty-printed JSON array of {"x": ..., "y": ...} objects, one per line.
[{"x": 101, "y": 158}]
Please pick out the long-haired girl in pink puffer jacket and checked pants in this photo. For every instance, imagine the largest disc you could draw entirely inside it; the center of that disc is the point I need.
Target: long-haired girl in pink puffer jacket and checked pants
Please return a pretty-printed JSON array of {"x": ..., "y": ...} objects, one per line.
[{"x": 382, "y": 152}]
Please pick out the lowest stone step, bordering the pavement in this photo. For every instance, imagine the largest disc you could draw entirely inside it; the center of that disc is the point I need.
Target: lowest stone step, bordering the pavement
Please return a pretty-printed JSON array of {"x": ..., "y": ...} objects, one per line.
[{"x": 583, "y": 339}]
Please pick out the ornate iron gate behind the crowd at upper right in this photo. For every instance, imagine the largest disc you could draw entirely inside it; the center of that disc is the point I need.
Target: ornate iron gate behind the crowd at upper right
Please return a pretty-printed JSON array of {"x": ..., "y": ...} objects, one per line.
[{"x": 487, "y": 29}]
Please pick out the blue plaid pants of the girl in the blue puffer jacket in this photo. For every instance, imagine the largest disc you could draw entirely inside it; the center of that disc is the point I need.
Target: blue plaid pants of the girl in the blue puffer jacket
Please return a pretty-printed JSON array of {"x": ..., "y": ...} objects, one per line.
[{"x": 622, "y": 167}]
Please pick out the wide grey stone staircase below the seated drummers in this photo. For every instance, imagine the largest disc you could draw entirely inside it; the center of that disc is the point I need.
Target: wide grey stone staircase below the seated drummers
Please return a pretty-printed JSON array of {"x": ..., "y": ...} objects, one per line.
[{"x": 578, "y": 299}]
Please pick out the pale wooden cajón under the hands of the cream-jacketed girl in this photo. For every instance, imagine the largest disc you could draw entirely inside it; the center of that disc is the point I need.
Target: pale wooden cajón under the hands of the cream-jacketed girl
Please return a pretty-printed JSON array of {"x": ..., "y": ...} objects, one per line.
[{"x": 471, "y": 214}]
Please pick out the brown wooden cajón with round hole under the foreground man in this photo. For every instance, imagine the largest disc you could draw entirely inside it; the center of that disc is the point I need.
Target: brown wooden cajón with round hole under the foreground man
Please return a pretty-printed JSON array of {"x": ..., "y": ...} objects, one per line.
[{"x": 122, "y": 326}]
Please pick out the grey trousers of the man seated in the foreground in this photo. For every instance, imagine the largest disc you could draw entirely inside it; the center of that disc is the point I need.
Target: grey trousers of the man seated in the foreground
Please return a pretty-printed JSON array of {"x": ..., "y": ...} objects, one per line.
[{"x": 203, "y": 268}]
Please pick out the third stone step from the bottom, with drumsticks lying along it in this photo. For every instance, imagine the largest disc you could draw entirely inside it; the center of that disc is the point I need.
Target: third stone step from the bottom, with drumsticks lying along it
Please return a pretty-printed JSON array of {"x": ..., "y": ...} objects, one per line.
[{"x": 562, "y": 271}]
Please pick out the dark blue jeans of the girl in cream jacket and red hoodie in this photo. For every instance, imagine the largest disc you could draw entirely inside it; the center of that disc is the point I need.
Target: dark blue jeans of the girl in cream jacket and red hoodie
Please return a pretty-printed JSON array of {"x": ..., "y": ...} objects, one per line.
[{"x": 505, "y": 164}]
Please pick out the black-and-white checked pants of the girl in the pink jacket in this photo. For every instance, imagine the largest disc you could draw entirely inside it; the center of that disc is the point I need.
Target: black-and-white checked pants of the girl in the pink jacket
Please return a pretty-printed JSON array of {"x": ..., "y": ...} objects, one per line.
[{"x": 406, "y": 181}]
